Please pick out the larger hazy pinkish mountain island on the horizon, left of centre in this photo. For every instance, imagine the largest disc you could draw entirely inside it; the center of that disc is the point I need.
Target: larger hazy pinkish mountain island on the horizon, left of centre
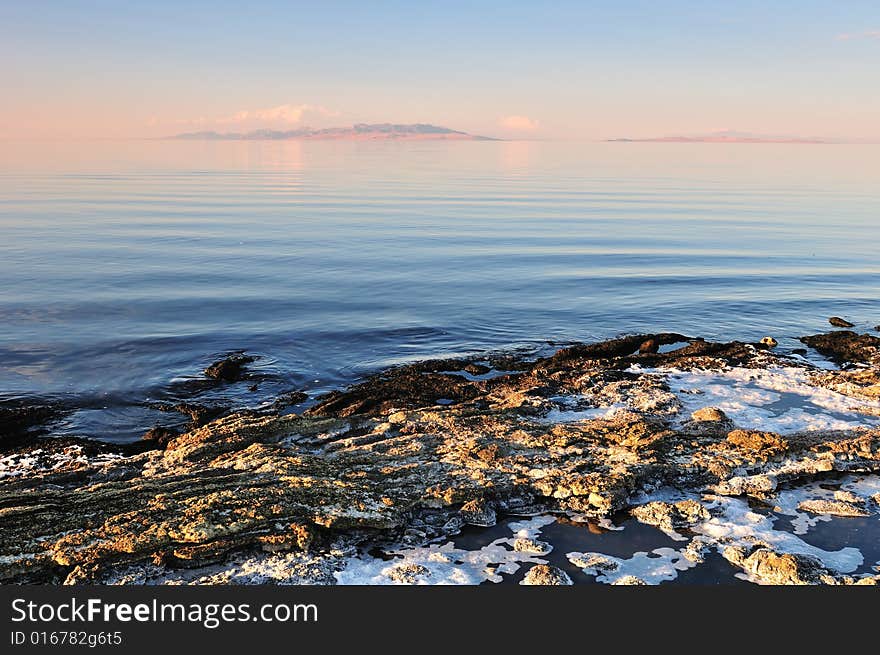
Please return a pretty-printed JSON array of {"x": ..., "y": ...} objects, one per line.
[{"x": 358, "y": 132}]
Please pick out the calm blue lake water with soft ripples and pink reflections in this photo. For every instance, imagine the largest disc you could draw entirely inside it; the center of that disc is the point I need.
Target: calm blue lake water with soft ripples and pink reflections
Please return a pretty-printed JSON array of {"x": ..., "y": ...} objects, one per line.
[{"x": 130, "y": 265}]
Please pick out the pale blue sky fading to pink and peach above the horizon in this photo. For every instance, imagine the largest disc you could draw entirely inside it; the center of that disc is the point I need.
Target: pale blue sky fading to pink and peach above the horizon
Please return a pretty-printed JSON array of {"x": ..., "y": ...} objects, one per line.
[{"x": 510, "y": 69}]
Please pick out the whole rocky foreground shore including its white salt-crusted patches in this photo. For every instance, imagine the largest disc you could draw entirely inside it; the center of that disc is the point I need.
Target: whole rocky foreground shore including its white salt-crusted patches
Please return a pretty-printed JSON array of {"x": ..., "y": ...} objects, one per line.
[{"x": 680, "y": 433}]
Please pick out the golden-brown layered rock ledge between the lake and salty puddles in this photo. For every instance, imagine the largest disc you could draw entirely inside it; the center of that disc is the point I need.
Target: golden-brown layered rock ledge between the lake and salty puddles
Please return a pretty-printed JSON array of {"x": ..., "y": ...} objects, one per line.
[{"x": 372, "y": 462}]
